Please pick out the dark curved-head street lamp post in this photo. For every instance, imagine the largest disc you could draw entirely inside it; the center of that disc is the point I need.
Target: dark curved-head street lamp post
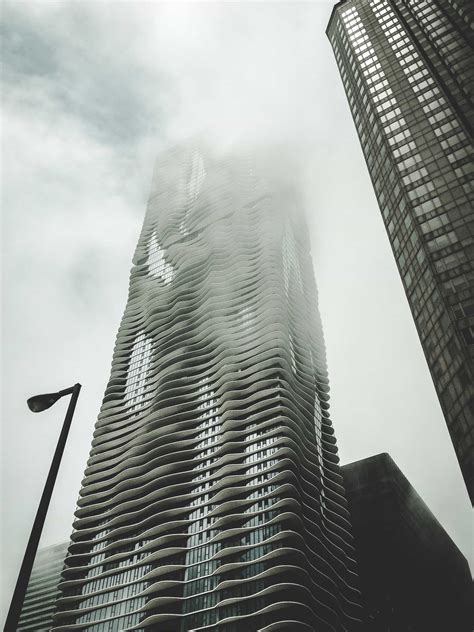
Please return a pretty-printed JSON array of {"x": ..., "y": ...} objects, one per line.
[{"x": 37, "y": 404}]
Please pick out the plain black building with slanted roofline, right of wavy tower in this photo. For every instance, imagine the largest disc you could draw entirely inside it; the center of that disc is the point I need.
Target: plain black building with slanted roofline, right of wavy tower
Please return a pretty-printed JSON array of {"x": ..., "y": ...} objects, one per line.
[{"x": 413, "y": 578}]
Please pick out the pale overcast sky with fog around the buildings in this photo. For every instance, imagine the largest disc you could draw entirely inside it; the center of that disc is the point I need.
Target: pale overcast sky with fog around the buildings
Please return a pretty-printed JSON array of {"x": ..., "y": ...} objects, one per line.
[{"x": 94, "y": 92}]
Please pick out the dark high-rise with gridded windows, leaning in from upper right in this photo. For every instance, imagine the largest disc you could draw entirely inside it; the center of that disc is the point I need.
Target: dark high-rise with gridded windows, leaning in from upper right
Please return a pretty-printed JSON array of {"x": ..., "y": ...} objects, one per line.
[{"x": 406, "y": 66}]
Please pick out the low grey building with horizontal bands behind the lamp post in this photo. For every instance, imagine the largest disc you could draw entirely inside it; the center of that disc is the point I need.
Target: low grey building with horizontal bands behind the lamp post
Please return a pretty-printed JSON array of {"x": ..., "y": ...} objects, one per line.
[{"x": 39, "y": 604}]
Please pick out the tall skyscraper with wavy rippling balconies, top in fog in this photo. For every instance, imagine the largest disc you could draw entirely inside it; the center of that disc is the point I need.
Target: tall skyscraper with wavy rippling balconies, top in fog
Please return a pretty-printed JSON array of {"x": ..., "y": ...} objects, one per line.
[{"x": 212, "y": 499}]
